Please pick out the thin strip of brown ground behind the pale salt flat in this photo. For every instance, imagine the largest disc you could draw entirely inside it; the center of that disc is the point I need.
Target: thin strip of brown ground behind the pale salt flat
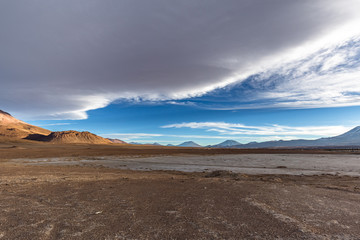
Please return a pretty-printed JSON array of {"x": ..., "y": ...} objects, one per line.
[{"x": 32, "y": 149}]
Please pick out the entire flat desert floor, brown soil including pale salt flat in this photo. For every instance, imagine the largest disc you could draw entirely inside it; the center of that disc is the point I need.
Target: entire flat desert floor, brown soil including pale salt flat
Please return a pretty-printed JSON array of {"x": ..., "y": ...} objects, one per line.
[{"x": 126, "y": 192}]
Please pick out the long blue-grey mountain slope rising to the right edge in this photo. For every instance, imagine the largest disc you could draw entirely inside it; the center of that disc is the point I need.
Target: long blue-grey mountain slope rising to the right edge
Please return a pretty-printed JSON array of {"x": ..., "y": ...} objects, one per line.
[{"x": 350, "y": 138}]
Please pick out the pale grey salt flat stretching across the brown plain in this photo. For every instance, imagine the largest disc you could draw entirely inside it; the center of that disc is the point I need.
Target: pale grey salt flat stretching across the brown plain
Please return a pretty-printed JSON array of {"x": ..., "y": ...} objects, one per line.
[{"x": 292, "y": 164}]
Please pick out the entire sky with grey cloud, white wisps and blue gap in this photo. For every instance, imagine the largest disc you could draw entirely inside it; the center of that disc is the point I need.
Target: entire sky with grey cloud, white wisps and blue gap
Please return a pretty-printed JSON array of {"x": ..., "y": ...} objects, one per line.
[{"x": 173, "y": 71}]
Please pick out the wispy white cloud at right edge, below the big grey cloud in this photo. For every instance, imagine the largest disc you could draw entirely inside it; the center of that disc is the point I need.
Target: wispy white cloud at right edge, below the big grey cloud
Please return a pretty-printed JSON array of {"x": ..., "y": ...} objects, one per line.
[{"x": 334, "y": 84}]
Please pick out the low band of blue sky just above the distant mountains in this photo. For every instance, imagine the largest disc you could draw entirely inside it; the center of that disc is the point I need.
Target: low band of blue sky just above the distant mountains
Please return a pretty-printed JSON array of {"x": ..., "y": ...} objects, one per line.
[{"x": 148, "y": 123}]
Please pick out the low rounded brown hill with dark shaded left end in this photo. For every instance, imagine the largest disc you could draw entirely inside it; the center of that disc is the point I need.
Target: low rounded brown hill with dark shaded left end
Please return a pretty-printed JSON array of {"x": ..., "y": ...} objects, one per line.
[{"x": 71, "y": 136}]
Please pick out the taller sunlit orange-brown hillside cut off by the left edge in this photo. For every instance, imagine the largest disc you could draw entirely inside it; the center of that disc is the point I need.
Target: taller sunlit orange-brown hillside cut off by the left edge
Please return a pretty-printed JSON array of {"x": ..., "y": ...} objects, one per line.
[{"x": 11, "y": 127}]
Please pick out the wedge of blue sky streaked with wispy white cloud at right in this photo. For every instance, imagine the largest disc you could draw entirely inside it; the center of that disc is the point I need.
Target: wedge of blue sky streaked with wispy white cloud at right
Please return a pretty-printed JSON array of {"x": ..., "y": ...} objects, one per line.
[{"x": 327, "y": 78}]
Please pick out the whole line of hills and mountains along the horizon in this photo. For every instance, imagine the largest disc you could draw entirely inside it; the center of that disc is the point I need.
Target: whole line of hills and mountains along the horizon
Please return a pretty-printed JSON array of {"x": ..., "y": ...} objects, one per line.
[{"x": 12, "y": 128}]
